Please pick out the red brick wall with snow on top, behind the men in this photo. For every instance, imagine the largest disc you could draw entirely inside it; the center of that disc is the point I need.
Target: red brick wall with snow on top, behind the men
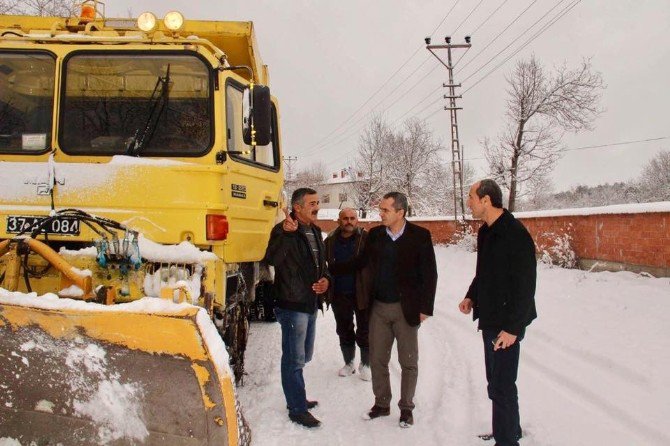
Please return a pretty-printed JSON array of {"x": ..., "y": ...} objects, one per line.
[{"x": 635, "y": 239}]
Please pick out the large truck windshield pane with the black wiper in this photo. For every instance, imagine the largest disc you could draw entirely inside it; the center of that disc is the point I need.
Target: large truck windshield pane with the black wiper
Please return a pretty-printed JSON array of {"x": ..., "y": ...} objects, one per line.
[{"x": 108, "y": 98}]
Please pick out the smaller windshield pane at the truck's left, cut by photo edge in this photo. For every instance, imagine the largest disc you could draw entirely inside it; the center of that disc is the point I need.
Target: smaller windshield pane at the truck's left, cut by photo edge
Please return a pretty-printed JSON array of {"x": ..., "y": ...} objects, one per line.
[{"x": 26, "y": 101}]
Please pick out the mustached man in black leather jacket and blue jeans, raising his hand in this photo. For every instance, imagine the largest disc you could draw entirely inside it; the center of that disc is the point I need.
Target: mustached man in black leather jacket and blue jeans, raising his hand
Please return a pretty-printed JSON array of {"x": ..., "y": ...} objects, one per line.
[{"x": 297, "y": 252}]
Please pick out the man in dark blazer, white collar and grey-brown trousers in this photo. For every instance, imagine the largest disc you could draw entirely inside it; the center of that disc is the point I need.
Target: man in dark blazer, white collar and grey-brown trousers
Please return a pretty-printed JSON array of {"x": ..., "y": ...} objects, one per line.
[{"x": 401, "y": 279}]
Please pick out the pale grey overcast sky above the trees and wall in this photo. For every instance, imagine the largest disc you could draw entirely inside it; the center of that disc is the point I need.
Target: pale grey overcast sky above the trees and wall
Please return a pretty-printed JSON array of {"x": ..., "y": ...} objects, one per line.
[{"x": 327, "y": 58}]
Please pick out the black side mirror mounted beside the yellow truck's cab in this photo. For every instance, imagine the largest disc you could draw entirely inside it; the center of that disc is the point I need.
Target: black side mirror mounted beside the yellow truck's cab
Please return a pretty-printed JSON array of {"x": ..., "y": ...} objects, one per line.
[{"x": 257, "y": 112}]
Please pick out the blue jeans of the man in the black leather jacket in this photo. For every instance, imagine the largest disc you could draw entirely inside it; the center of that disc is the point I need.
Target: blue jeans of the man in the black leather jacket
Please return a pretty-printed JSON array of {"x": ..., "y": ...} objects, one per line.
[{"x": 297, "y": 343}]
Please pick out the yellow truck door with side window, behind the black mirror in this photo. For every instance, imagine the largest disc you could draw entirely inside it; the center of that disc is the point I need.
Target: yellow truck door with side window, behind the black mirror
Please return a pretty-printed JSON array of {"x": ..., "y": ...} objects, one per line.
[{"x": 253, "y": 183}]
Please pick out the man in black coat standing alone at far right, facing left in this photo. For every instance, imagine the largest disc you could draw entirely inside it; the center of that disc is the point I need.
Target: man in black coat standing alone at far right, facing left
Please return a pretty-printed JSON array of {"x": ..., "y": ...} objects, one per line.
[{"x": 502, "y": 295}]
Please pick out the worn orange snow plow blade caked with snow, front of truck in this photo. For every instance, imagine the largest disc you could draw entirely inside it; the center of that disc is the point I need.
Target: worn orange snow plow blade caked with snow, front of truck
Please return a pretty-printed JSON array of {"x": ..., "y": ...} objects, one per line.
[{"x": 148, "y": 372}]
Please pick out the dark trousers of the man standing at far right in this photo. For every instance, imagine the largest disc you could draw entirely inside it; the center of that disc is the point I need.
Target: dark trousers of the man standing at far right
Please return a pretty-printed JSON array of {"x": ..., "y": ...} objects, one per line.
[{"x": 501, "y": 371}]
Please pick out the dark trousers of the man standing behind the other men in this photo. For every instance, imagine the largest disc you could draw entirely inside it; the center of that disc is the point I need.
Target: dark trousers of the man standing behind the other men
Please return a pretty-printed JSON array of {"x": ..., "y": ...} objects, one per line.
[{"x": 345, "y": 308}]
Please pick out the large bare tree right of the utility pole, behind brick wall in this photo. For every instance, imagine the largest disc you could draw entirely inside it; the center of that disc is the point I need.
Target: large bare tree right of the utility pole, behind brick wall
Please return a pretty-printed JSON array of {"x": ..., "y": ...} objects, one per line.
[{"x": 539, "y": 109}]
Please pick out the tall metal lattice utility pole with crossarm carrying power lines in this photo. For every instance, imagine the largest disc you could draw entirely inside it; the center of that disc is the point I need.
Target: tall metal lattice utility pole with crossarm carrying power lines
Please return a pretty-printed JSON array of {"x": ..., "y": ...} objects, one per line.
[{"x": 456, "y": 155}]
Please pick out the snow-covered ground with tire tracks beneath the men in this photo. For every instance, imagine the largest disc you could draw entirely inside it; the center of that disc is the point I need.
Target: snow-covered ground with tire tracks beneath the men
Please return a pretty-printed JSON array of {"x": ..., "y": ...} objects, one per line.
[{"x": 594, "y": 369}]
